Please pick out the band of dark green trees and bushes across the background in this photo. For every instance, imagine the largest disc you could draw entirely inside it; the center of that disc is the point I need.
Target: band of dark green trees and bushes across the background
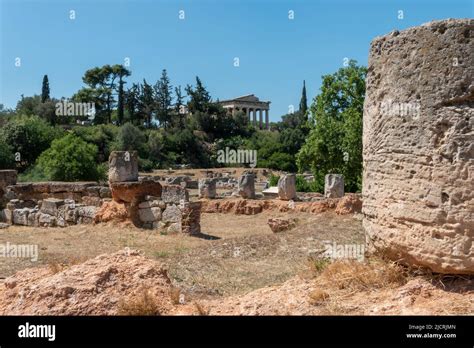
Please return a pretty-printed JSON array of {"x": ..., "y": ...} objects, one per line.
[{"x": 168, "y": 127}]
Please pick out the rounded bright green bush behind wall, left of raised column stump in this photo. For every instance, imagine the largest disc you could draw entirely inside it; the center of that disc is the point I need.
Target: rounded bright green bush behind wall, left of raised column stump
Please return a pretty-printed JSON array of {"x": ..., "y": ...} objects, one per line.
[{"x": 70, "y": 159}]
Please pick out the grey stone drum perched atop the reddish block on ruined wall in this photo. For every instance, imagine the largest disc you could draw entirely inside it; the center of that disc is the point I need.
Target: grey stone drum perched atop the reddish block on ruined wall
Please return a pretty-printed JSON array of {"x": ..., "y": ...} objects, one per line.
[{"x": 123, "y": 166}]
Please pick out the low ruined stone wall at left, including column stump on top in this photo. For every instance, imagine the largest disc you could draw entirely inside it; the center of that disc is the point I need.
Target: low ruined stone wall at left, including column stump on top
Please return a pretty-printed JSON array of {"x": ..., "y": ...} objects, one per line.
[{"x": 144, "y": 201}]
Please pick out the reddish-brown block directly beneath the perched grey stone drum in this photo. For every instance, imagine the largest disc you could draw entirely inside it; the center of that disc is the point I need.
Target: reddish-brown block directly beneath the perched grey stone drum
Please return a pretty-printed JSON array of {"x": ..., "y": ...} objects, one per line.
[{"x": 134, "y": 191}]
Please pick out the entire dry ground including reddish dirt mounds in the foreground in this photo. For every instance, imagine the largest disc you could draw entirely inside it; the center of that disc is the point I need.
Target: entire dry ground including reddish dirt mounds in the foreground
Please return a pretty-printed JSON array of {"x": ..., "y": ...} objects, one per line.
[{"x": 237, "y": 266}]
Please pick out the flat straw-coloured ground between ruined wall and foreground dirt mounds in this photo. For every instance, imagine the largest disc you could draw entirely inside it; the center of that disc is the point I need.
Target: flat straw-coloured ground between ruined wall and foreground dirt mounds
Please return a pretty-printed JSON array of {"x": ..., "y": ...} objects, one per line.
[{"x": 234, "y": 254}]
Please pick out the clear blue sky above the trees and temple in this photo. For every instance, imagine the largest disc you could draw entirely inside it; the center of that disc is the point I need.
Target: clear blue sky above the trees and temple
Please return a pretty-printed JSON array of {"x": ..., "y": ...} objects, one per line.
[{"x": 275, "y": 53}]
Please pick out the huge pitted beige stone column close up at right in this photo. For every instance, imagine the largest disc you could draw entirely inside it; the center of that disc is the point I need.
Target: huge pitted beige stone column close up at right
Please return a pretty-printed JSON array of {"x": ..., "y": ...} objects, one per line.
[{"x": 418, "y": 146}]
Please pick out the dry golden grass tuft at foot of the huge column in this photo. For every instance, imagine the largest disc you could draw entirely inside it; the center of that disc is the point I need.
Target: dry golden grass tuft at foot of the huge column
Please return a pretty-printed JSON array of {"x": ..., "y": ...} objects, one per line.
[{"x": 353, "y": 275}]
